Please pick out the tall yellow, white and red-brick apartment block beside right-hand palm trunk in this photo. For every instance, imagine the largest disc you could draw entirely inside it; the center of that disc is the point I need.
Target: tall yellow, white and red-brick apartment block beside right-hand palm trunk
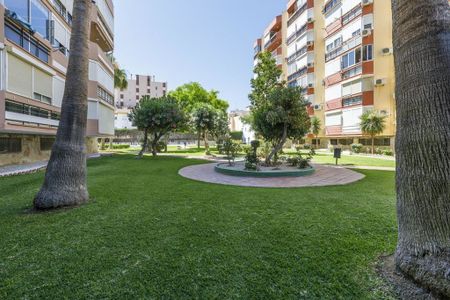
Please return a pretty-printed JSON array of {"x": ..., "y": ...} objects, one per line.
[{"x": 340, "y": 52}]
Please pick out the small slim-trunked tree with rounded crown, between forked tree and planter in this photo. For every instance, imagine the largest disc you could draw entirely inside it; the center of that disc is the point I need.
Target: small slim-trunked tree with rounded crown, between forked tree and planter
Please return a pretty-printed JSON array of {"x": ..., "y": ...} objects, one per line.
[{"x": 204, "y": 121}]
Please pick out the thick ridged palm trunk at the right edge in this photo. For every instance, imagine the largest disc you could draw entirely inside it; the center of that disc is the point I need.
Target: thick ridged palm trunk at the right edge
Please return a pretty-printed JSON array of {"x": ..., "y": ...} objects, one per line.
[{"x": 422, "y": 59}]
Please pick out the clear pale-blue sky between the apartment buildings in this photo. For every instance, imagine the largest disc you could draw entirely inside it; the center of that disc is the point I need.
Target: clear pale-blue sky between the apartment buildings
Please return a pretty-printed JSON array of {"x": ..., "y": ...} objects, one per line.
[{"x": 209, "y": 41}]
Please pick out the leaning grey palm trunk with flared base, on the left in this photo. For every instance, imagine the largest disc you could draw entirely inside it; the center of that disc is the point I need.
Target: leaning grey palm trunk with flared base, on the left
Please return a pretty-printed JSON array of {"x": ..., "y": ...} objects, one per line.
[{"x": 65, "y": 179}]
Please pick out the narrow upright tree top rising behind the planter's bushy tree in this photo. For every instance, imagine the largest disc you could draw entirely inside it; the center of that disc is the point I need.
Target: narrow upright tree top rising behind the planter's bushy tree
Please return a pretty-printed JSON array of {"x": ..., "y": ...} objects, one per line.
[{"x": 267, "y": 78}]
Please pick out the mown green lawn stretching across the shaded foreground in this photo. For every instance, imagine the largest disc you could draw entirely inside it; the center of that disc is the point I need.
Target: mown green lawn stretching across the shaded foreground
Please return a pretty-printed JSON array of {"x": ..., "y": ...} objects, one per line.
[{"x": 149, "y": 233}]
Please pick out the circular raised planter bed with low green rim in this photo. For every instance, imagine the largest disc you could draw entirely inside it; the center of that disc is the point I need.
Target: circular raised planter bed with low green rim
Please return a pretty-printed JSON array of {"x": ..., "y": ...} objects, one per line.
[{"x": 238, "y": 169}]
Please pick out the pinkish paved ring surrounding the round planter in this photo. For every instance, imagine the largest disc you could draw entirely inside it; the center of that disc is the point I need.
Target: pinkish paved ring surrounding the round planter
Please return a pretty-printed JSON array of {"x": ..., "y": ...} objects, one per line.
[{"x": 324, "y": 176}]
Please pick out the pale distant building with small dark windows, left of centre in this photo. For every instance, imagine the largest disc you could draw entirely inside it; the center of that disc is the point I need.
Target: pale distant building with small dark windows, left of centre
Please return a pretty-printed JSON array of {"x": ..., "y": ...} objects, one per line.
[{"x": 138, "y": 87}]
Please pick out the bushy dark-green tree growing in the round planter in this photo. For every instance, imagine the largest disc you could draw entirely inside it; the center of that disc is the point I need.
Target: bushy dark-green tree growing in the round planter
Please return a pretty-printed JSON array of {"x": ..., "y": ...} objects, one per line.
[{"x": 283, "y": 116}]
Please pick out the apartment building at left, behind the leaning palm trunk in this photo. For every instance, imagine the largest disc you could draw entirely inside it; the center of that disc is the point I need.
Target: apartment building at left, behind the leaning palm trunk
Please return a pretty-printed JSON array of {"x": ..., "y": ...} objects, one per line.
[{"x": 34, "y": 52}]
